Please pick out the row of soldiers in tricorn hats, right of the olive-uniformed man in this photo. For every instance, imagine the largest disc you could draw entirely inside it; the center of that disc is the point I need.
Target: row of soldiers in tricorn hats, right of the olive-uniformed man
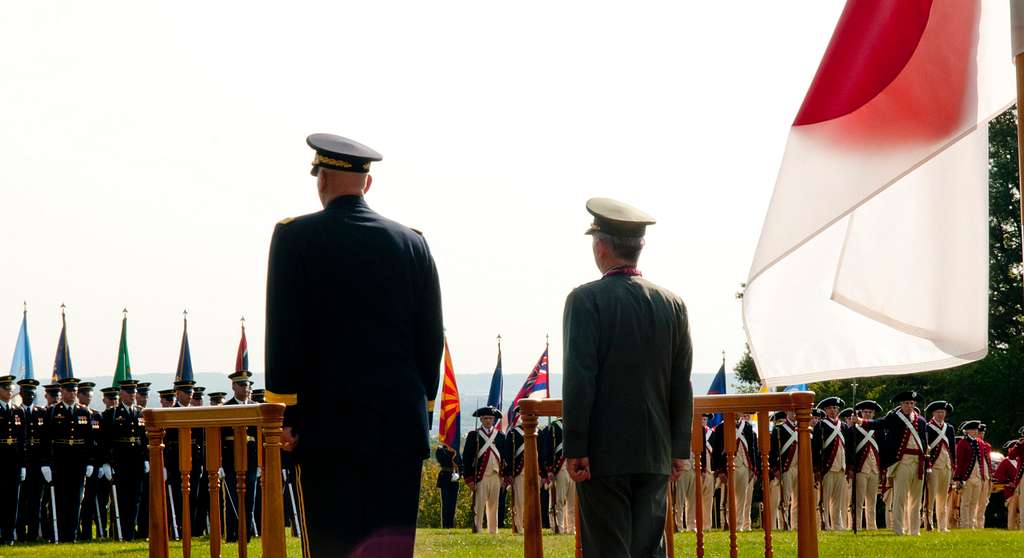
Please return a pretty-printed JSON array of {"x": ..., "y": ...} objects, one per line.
[{"x": 912, "y": 461}]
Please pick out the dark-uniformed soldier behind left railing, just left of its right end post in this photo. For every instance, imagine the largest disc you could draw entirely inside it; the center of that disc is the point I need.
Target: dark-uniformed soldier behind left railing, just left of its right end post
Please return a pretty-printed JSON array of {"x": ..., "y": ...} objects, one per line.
[{"x": 242, "y": 388}]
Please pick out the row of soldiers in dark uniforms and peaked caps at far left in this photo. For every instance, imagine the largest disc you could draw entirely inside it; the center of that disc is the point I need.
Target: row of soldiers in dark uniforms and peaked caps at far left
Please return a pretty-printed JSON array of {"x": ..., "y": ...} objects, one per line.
[{"x": 71, "y": 469}]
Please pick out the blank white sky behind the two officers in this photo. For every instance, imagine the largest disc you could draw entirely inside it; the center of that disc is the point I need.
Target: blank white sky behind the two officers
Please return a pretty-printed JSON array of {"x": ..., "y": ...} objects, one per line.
[{"x": 147, "y": 152}]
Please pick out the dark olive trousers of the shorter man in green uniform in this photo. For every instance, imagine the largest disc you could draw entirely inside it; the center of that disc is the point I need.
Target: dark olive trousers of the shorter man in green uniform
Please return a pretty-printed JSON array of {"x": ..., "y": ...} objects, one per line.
[{"x": 623, "y": 517}]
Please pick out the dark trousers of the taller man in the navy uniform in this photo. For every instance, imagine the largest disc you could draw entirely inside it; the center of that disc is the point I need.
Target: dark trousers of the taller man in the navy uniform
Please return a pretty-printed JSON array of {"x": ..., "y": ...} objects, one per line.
[{"x": 345, "y": 516}]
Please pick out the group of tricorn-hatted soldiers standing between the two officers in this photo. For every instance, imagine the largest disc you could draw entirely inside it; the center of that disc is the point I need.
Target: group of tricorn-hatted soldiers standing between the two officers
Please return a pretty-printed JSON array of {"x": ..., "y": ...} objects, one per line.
[{"x": 493, "y": 463}]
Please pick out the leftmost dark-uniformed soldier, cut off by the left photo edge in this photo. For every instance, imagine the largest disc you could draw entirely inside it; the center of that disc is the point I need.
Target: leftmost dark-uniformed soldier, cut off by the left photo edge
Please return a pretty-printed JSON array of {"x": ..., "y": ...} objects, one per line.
[{"x": 14, "y": 426}]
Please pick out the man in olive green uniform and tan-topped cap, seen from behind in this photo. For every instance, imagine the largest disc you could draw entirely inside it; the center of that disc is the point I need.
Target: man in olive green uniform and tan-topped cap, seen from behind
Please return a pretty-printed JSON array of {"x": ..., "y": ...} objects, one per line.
[{"x": 628, "y": 398}]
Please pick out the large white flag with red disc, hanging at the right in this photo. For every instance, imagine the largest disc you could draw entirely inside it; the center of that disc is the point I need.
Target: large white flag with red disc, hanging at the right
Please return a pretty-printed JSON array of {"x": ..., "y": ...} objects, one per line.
[{"x": 874, "y": 255}]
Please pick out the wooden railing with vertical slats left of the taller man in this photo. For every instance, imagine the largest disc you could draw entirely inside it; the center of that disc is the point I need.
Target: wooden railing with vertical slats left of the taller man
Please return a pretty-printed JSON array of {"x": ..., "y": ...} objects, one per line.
[{"x": 268, "y": 419}]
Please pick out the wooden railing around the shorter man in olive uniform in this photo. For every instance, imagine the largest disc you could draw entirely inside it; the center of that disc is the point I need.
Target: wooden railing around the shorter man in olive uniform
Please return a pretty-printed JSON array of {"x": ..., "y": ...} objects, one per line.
[{"x": 797, "y": 404}]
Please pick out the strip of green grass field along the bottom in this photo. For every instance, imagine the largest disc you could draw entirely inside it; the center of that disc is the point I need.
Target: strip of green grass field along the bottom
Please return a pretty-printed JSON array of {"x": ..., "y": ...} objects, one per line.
[{"x": 460, "y": 544}]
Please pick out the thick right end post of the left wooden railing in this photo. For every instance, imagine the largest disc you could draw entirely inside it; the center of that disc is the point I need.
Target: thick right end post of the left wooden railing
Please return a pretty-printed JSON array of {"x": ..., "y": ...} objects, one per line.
[{"x": 274, "y": 508}]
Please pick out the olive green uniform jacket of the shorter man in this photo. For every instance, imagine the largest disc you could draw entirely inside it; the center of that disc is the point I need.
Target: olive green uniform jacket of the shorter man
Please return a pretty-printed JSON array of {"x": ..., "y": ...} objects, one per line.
[{"x": 628, "y": 399}]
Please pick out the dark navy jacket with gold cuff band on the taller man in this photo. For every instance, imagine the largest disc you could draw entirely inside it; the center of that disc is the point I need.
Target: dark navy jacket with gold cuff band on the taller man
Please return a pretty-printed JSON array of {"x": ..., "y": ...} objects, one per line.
[{"x": 354, "y": 310}]
